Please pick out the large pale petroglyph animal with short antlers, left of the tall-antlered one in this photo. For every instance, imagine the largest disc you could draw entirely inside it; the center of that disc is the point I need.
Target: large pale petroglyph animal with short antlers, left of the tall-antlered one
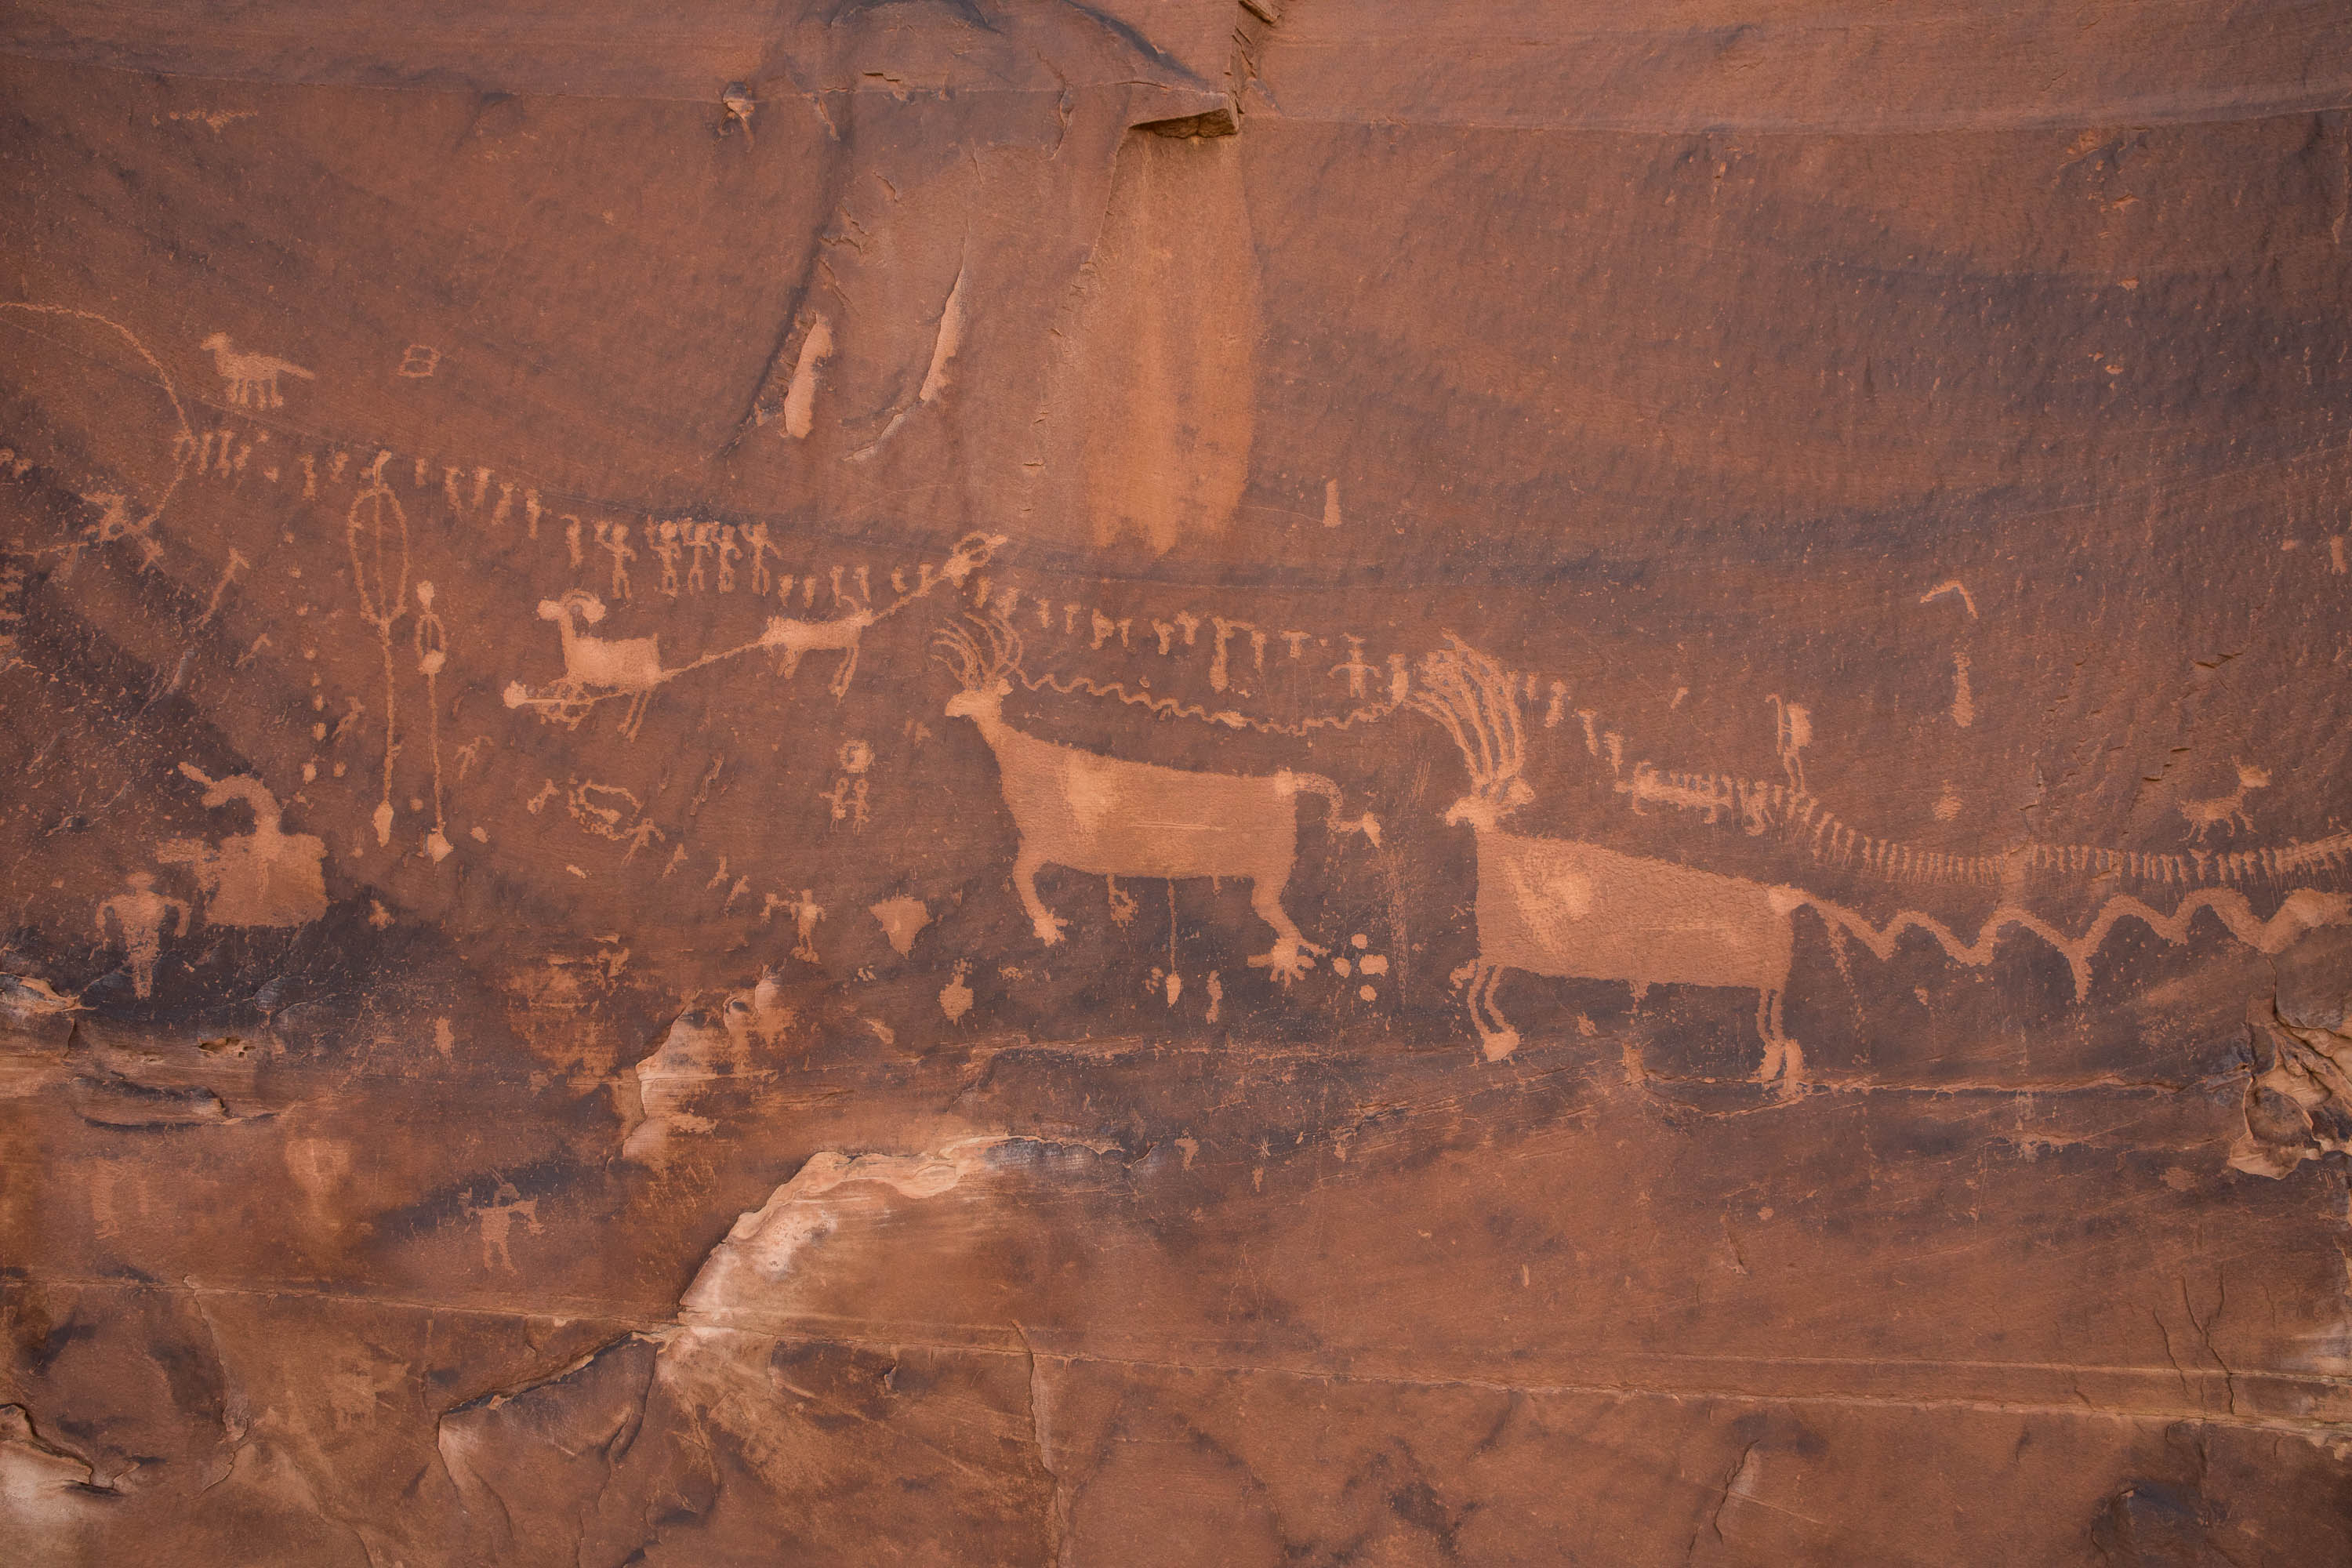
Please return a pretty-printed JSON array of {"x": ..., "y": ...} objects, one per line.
[{"x": 1132, "y": 819}]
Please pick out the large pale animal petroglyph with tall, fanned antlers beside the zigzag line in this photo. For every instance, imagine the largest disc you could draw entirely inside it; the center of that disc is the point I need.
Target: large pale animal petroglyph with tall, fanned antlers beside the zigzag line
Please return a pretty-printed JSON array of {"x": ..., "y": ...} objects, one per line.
[{"x": 1589, "y": 913}]
